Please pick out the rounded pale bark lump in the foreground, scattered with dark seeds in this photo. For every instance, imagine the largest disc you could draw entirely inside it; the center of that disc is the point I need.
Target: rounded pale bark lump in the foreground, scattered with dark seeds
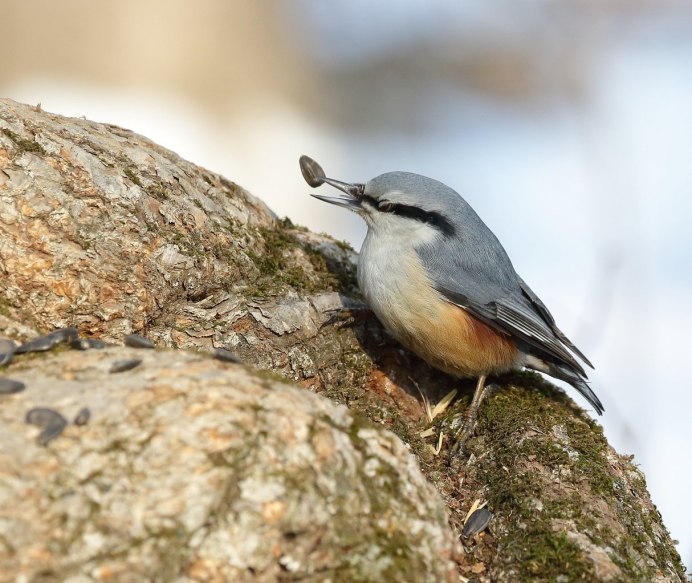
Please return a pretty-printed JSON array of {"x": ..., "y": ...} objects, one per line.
[{"x": 191, "y": 469}]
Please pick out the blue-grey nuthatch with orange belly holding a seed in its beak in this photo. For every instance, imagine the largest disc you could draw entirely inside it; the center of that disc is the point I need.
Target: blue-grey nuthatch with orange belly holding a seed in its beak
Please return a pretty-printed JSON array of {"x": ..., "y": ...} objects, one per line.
[{"x": 442, "y": 284}]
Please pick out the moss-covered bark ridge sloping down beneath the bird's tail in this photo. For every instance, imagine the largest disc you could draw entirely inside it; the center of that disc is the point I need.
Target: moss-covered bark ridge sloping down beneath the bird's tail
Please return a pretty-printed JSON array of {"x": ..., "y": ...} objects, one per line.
[{"x": 555, "y": 487}]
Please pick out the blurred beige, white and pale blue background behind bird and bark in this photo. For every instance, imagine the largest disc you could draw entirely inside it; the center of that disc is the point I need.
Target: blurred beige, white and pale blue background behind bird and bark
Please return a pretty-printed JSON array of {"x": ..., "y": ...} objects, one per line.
[{"x": 566, "y": 124}]
